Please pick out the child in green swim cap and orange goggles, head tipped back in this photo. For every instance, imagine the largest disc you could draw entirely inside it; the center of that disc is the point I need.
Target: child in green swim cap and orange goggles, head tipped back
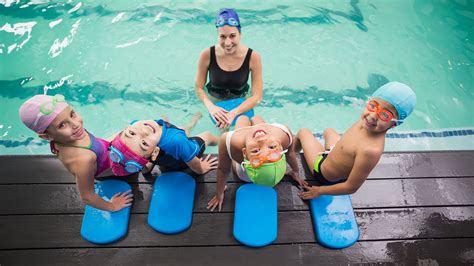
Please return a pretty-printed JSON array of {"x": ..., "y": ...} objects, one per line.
[{"x": 255, "y": 151}]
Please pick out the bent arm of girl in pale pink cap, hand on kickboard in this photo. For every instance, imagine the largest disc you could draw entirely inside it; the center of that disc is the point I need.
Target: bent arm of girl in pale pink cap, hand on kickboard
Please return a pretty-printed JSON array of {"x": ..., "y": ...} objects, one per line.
[{"x": 83, "y": 169}]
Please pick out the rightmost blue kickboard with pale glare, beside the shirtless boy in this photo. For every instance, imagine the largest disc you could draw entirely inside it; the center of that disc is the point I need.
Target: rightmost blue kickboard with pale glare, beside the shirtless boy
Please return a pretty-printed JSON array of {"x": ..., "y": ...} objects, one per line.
[{"x": 334, "y": 221}]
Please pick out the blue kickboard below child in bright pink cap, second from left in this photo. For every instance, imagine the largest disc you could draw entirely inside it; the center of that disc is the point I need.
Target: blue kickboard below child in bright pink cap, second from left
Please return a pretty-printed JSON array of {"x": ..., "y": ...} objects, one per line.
[{"x": 172, "y": 202}]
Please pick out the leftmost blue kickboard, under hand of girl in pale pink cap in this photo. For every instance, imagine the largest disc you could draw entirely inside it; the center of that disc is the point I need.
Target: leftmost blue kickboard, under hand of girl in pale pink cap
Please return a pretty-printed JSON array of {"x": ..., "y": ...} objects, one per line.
[{"x": 103, "y": 227}]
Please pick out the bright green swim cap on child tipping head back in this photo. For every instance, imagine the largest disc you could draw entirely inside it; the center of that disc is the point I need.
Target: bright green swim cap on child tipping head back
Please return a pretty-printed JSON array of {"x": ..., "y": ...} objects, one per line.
[{"x": 268, "y": 174}]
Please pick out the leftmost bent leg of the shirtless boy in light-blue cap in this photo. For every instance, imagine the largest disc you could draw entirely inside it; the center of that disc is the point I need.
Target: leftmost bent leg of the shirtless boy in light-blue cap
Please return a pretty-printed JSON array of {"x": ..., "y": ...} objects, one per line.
[{"x": 311, "y": 146}]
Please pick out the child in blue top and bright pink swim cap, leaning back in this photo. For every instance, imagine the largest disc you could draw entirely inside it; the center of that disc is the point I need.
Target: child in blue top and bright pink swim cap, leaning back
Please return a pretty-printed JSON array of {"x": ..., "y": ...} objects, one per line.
[{"x": 146, "y": 143}]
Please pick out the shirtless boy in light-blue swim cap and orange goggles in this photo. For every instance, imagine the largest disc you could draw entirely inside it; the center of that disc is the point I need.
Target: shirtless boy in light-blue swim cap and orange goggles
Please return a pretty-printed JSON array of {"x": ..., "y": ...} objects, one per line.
[{"x": 343, "y": 164}]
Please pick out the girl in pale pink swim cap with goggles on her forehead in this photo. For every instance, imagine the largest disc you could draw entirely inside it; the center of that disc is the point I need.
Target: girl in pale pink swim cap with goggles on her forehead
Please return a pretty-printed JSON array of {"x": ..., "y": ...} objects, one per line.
[{"x": 84, "y": 155}]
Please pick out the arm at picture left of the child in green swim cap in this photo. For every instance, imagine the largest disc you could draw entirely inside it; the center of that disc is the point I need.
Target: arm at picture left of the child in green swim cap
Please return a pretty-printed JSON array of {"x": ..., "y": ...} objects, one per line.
[{"x": 225, "y": 164}]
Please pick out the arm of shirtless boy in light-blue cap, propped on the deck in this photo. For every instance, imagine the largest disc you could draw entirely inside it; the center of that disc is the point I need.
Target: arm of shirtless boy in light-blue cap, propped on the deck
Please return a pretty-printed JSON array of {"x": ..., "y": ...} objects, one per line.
[{"x": 363, "y": 165}]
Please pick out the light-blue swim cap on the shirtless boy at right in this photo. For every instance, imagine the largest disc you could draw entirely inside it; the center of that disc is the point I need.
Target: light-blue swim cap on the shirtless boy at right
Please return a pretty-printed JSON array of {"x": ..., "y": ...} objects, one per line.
[{"x": 399, "y": 95}]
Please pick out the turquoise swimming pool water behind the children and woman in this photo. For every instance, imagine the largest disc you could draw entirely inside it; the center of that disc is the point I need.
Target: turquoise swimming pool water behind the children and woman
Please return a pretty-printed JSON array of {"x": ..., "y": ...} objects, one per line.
[{"x": 117, "y": 61}]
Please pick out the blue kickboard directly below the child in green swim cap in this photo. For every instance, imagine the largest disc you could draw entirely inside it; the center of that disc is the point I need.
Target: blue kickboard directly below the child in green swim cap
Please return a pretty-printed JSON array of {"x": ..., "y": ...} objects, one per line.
[{"x": 255, "y": 218}]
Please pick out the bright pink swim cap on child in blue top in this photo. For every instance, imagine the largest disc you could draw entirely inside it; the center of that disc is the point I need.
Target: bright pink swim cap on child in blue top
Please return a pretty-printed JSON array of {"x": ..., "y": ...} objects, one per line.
[{"x": 127, "y": 155}]
